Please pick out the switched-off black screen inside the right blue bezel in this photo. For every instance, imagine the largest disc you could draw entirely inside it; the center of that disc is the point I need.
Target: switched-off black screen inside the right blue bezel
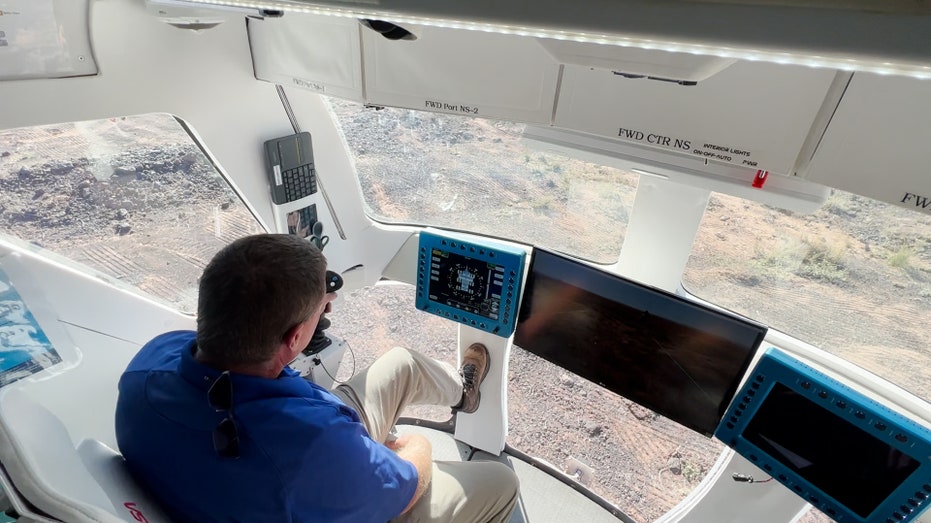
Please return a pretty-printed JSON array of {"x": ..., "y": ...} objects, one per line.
[{"x": 841, "y": 459}]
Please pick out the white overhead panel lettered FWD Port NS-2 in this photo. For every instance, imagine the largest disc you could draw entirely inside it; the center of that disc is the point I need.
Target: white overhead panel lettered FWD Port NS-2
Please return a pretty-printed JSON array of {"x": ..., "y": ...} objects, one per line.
[{"x": 461, "y": 72}]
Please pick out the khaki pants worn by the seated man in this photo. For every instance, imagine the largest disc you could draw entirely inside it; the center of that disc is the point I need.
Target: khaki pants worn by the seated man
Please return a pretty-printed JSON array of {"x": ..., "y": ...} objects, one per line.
[{"x": 467, "y": 492}]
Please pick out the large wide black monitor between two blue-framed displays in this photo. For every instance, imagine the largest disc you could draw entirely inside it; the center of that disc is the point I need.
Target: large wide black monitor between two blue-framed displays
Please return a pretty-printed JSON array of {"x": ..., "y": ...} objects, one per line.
[{"x": 676, "y": 357}]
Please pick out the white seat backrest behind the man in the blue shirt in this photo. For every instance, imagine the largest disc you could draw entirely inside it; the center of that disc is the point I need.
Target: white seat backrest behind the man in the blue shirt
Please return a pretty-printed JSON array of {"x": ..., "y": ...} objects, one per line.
[{"x": 89, "y": 483}]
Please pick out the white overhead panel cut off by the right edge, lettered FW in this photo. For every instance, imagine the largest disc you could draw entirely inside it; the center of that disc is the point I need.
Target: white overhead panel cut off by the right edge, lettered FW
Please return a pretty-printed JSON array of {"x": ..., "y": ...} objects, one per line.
[{"x": 878, "y": 143}]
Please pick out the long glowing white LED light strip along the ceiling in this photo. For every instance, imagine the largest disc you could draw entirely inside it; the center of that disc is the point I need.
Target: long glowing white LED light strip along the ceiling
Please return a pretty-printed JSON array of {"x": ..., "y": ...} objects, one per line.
[{"x": 882, "y": 68}]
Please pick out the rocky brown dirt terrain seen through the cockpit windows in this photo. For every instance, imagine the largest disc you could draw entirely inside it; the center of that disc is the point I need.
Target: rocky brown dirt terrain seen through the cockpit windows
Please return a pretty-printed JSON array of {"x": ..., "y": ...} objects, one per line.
[{"x": 139, "y": 202}]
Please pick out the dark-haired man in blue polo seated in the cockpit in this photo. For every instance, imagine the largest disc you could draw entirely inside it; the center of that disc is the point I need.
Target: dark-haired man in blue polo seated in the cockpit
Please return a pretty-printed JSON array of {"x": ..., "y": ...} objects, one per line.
[{"x": 219, "y": 428}]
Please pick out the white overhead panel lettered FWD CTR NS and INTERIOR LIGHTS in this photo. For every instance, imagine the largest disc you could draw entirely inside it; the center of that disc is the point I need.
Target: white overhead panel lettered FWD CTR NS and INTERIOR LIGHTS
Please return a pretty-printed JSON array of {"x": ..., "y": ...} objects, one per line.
[{"x": 750, "y": 114}]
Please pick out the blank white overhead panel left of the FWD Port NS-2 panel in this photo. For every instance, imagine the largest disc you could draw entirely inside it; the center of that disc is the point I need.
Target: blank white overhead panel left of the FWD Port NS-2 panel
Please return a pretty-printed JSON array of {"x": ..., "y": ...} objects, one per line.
[{"x": 316, "y": 53}]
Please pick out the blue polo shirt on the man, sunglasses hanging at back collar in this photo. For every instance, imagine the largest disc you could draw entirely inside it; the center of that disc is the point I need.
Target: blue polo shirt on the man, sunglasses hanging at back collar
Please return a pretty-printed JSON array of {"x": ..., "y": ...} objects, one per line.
[{"x": 304, "y": 455}]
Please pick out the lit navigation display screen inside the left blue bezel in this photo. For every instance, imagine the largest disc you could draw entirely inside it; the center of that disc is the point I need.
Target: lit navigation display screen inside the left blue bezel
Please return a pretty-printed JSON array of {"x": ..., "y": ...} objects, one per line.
[{"x": 466, "y": 284}]
